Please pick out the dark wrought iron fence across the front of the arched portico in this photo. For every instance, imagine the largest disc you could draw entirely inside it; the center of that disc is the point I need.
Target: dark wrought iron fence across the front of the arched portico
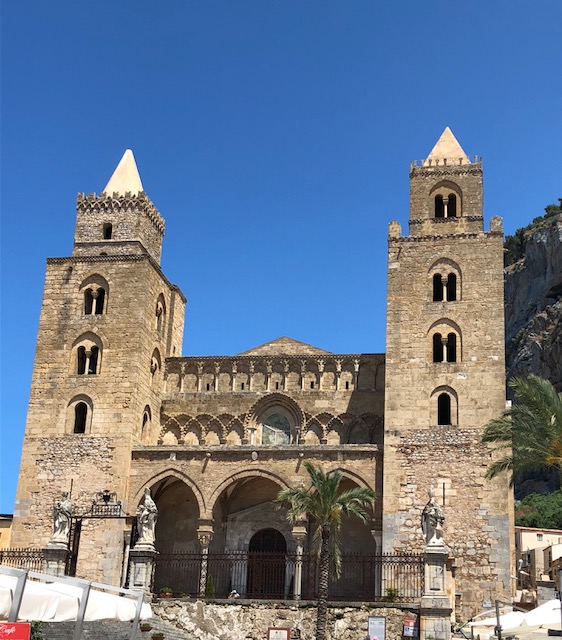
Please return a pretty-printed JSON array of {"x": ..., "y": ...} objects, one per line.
[{"x": 367, "y": 578}]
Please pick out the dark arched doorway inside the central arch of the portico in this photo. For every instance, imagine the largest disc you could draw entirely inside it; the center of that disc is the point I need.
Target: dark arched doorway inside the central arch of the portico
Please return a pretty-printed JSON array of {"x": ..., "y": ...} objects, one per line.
[{"x": 266, "y": 564}]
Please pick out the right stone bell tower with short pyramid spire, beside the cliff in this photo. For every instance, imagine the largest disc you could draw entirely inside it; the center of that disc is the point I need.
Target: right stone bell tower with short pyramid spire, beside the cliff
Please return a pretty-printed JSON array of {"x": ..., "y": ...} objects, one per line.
[{"x": 445, "y": 374}]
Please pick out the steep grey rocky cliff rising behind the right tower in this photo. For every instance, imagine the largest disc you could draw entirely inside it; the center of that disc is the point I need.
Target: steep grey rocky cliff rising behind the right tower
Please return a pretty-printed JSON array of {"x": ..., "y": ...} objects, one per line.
[{"x": 533, "y": 305}]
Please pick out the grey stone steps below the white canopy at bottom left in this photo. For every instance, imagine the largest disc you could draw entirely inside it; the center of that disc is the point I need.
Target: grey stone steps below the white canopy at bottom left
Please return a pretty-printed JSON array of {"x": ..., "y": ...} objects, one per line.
[{"x": 110, "y": 631}]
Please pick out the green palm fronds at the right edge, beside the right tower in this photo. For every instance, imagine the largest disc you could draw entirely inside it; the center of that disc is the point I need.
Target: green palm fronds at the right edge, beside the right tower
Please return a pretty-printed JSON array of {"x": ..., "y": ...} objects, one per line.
[{"x": 529, "y": 433}]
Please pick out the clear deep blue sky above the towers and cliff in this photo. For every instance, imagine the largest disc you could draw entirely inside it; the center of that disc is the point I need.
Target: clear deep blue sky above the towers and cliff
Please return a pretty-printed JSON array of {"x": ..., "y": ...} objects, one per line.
[{"x": 275, "y": 138}]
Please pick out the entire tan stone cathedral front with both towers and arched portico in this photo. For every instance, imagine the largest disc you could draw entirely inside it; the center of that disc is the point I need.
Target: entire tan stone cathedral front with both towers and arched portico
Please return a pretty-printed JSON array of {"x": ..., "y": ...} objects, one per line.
[{"x": 115, "y": 406}]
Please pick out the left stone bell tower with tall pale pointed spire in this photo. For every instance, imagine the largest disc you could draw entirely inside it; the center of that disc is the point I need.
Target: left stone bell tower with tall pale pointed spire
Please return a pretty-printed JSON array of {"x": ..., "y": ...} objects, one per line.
[{"x": 108, "y": 321}]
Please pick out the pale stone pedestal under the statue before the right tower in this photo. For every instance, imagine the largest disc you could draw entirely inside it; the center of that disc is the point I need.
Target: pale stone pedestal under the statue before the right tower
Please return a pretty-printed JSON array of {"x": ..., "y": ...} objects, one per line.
[{"x": 436, "y": 609}]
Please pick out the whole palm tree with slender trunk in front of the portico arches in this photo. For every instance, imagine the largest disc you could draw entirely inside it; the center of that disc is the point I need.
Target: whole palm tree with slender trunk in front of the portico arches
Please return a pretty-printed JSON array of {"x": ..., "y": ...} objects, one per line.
[{"x": 325, "y": 505}]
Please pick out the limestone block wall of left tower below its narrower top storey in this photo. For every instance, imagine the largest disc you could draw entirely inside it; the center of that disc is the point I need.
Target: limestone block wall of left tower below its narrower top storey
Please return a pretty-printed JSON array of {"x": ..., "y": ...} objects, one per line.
[{"x": 124, "y": 384}]
